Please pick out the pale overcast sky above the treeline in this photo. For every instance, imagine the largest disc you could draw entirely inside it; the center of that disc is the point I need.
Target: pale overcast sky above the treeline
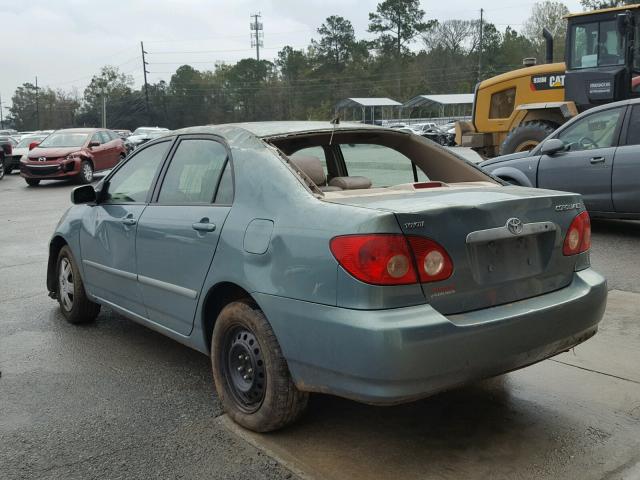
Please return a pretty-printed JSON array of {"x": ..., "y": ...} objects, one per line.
[{"x": 65, "y": 42}]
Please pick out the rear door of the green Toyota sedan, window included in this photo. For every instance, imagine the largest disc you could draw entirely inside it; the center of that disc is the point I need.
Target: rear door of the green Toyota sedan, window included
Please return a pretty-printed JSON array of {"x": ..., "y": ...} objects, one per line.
[{"x": 178, "y": 232}]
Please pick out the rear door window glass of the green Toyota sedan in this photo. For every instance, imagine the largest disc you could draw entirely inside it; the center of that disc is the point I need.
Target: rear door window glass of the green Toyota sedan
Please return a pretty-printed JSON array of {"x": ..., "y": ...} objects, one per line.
[{"x": 194, "y": 171}]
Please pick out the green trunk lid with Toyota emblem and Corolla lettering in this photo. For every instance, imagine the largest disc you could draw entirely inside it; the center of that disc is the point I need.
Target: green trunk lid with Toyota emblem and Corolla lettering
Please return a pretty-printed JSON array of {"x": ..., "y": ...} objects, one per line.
[{"x": 505, "y": 242}]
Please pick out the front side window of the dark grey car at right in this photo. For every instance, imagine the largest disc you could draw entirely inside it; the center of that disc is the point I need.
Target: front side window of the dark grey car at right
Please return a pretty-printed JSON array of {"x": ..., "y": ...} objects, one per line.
[{"x": 593, "y": 131}]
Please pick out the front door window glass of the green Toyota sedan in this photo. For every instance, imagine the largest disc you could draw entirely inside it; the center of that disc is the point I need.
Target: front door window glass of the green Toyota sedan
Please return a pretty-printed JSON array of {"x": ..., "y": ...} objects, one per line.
[{"x": 131, "y": 182}]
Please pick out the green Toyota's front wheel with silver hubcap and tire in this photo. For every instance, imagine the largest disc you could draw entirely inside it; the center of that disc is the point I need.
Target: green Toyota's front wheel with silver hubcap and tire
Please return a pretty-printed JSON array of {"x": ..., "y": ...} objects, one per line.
[{"x": 74, "y": 303}]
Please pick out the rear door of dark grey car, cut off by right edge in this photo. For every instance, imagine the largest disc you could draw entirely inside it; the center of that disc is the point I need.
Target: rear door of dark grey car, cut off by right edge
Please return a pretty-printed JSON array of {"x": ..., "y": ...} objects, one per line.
[{"x": 625, "y": 183}]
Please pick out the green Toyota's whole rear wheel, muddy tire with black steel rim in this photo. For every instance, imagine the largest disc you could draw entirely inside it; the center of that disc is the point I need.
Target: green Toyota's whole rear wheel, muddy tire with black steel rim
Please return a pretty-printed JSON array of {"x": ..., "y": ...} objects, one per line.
[{"x": 250, "y": 372}]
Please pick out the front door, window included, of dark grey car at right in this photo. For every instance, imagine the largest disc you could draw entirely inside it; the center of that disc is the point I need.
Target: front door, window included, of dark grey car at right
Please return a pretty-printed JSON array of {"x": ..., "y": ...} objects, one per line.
[{"x": 587, "y": 164}]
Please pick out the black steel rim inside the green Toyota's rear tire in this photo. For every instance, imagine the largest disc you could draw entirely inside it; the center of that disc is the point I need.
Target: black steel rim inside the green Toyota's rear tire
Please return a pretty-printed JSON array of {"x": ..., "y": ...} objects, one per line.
[{"x": 244, "y": 368}]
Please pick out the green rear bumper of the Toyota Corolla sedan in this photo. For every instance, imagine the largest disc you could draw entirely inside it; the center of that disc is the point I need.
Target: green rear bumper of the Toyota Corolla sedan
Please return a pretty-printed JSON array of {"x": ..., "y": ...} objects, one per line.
[{"x": 398, "y": 355}]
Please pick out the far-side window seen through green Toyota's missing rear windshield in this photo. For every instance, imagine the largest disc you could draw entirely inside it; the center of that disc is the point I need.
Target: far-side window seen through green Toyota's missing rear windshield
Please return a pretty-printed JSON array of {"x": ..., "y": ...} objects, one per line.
[{"x": 384, "y": 166}]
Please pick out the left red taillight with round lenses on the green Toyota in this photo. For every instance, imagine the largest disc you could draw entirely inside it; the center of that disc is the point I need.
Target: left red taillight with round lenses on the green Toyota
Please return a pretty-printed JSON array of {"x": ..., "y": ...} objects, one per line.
[{"x": 388, "y": 259}]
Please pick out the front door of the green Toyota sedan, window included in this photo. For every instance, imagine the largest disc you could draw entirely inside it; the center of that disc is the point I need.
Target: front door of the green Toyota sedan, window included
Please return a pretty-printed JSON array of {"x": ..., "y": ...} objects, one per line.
[{"x": 107, "y": 239}]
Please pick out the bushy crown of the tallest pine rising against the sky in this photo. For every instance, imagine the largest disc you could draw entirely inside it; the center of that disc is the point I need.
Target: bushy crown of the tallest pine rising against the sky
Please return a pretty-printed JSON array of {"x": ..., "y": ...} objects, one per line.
[{"x": 397, "y": 23}]
